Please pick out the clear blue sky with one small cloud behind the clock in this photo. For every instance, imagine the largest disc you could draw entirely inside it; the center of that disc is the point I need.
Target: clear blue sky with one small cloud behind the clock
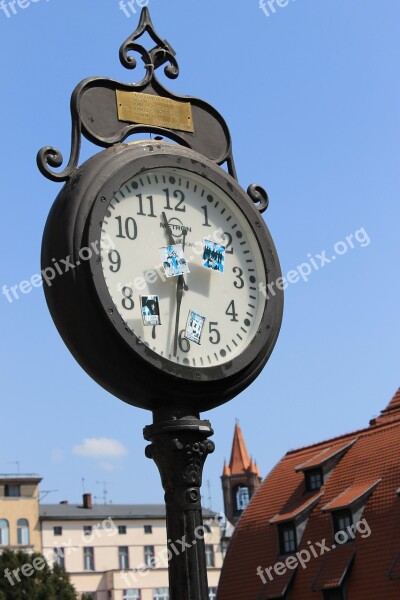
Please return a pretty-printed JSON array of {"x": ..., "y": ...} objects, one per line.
[{"x": 311, "y": 95}]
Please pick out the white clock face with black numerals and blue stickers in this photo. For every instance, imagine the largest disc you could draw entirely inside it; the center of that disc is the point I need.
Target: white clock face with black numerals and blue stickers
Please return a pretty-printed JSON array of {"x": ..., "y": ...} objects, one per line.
[{"x": 182, "y": 267}]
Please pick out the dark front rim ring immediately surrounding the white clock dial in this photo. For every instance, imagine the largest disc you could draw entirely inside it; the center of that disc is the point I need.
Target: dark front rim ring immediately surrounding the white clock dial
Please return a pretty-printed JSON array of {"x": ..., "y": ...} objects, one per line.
[{"x": 167, "y": 155}]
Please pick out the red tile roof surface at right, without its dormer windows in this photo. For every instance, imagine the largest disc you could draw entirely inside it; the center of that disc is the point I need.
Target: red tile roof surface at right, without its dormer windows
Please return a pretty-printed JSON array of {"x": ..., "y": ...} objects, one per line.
[{"x": 375, "y": 455}]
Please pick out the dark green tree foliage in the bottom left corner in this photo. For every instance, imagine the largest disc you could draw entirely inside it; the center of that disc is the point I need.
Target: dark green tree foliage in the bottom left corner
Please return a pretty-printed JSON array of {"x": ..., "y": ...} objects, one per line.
[{"x": 40, "y": 582}]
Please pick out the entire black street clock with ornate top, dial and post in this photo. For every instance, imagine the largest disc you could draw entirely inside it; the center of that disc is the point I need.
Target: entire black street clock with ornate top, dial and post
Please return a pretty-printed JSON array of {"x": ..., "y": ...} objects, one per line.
[{"x": 178, "y": 337}]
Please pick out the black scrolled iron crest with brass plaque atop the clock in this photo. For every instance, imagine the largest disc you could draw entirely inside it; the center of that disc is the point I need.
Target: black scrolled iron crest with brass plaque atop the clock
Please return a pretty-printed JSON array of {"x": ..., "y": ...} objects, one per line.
[{"x": 97, "y": 112}]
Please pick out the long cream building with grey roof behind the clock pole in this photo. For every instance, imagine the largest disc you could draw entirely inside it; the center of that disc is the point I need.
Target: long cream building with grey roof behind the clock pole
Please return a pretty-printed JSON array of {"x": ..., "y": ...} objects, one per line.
[{"x": 118, "y": 552}]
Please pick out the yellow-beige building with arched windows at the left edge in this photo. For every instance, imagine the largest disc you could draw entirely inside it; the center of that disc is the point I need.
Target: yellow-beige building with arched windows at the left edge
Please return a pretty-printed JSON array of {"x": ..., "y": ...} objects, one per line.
[{"x": 19, "y": 513}]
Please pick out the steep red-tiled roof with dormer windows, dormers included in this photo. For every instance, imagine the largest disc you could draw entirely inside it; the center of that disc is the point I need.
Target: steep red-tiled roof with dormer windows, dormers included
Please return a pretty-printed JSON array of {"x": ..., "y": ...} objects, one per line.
[{"x": 325, "y": 523}]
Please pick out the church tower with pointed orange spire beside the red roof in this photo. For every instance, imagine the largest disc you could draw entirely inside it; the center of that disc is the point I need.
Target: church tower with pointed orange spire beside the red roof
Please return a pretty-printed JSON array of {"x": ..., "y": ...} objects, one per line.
[{"x": 240, "y": 479}]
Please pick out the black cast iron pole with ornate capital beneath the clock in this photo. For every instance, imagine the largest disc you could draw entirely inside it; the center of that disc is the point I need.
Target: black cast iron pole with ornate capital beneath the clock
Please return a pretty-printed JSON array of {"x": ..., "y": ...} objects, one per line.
[{"x": 179, "y": 447}]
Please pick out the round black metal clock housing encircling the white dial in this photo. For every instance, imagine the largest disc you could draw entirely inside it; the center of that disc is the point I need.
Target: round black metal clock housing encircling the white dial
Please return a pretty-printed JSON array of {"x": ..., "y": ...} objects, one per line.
[{"x": 85, "y": 315}]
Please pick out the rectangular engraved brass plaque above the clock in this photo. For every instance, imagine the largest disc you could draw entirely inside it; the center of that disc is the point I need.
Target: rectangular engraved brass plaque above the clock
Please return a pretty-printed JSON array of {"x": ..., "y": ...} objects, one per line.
[{"x": 136, "y": 107}]
